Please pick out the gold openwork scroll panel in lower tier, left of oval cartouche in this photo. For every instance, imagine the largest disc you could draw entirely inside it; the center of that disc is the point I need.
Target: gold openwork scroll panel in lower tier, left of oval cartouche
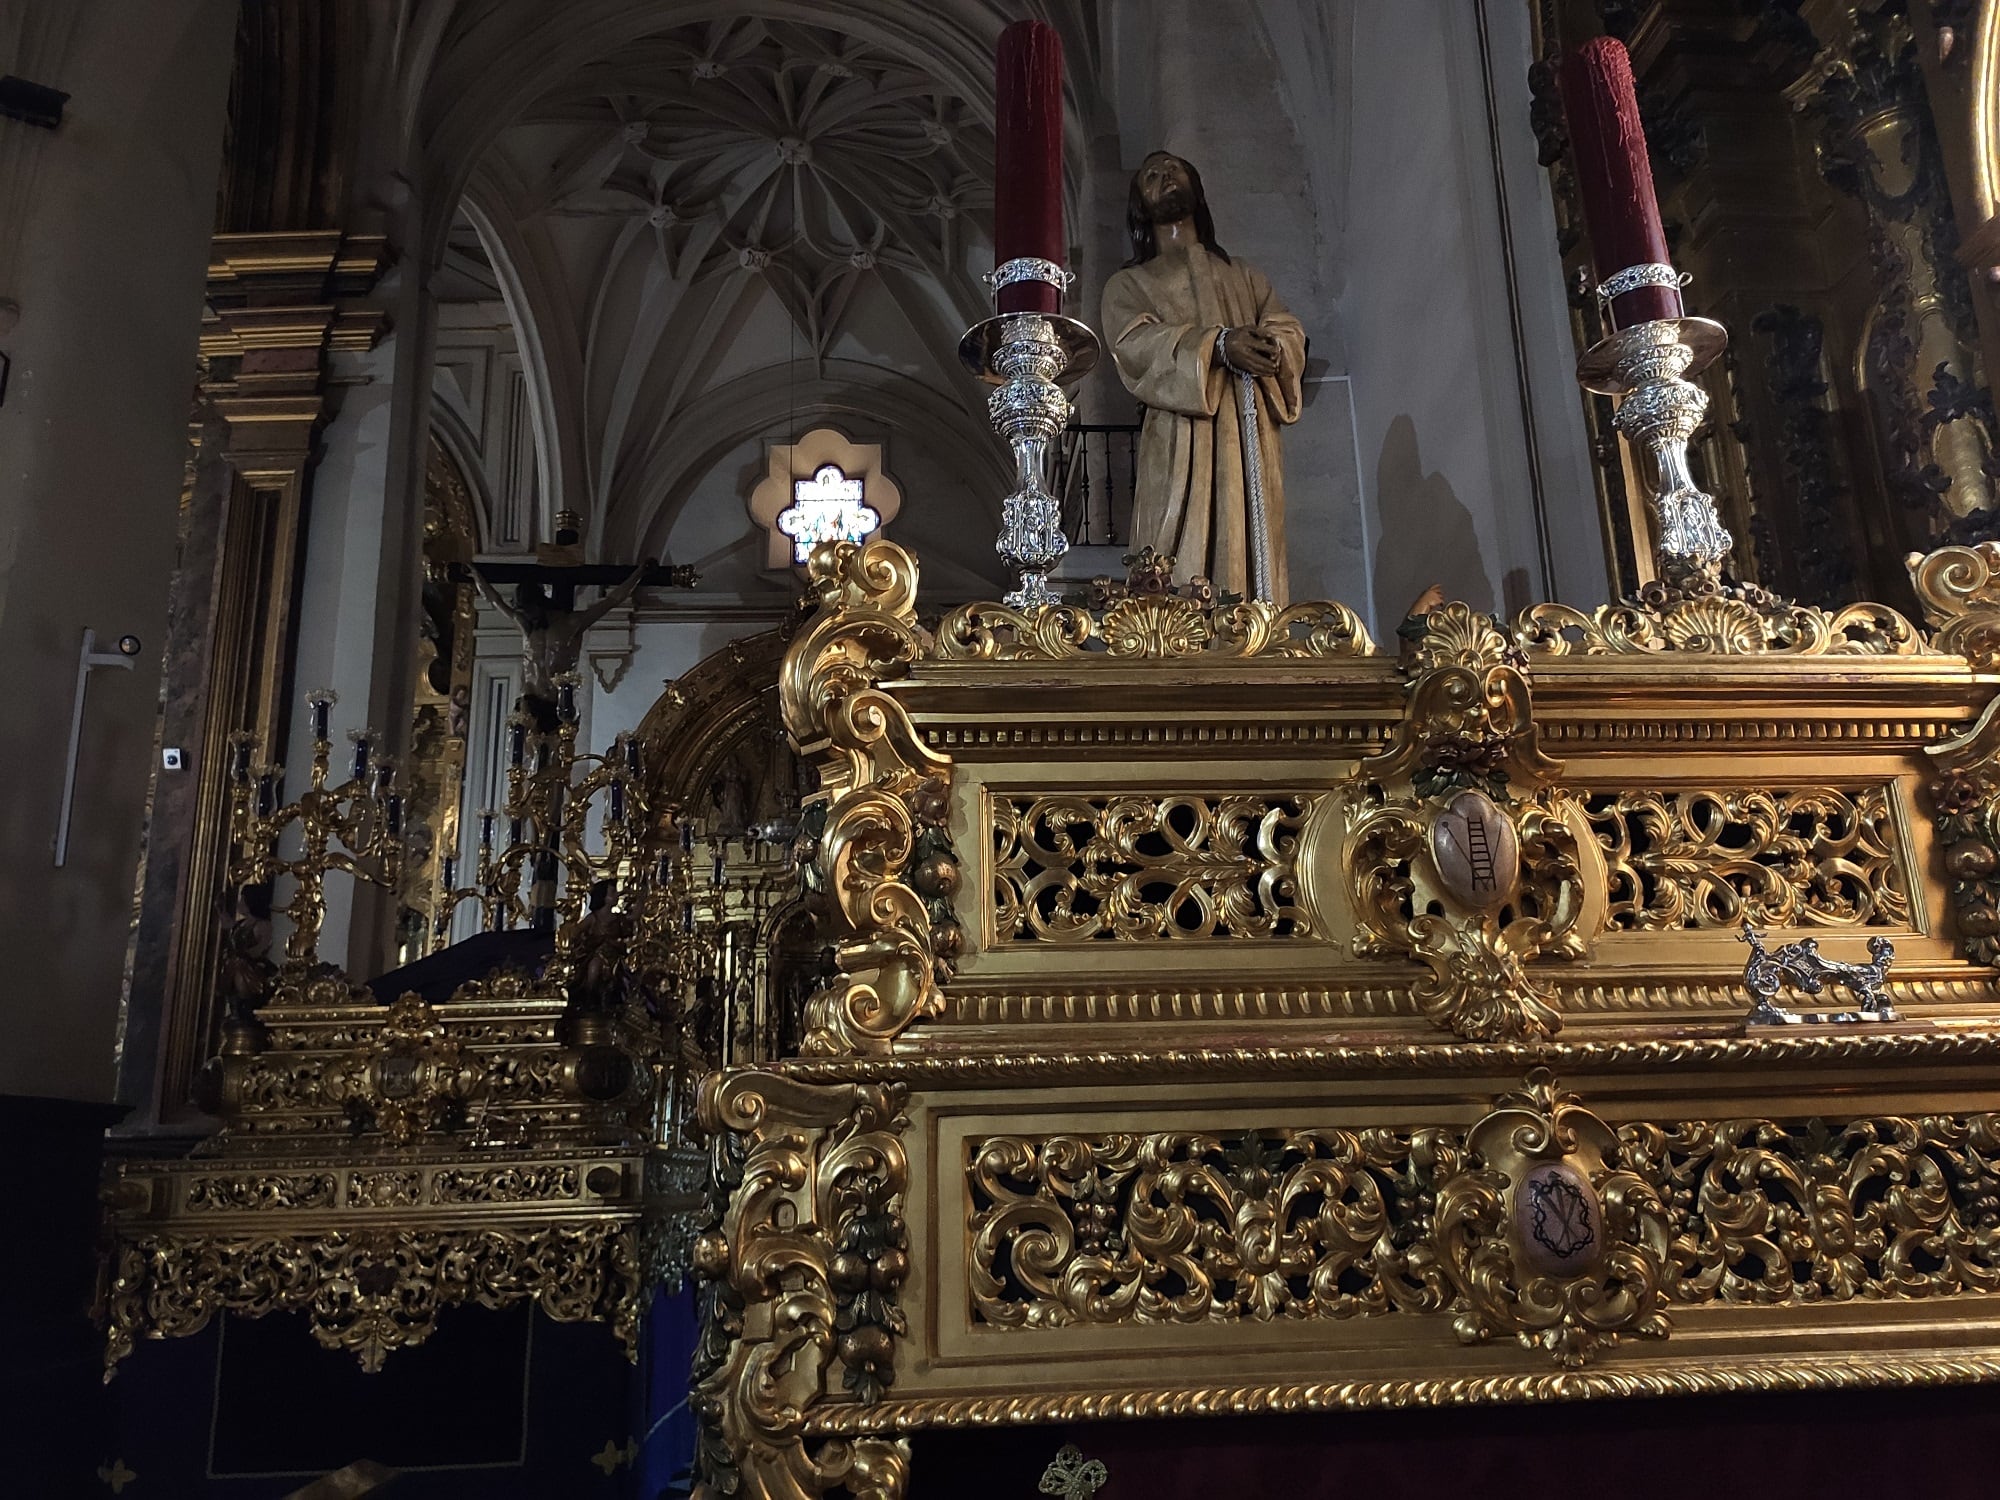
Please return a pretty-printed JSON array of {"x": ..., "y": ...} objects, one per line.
[{"x": 1199, "y": 1229}]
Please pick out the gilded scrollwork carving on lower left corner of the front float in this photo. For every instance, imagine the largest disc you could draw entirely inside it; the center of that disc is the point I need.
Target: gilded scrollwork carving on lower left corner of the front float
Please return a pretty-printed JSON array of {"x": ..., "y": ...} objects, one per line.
[{"x": 803, "y": 1277}]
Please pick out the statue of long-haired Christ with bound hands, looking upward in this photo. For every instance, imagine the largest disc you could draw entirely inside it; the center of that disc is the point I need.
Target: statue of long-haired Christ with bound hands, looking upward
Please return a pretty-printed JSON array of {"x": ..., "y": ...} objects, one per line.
[{"x": 1217, "y": 361}]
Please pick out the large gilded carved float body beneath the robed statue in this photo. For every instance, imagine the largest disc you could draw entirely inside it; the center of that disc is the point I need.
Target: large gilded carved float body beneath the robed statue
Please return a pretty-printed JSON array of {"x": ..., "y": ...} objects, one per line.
[{"x": 1235, "y": 1015}]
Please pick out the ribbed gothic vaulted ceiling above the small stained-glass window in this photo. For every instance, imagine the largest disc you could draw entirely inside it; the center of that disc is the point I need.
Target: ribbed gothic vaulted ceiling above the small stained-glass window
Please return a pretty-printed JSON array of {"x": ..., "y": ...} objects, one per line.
[{"x": 739, "y": 225}]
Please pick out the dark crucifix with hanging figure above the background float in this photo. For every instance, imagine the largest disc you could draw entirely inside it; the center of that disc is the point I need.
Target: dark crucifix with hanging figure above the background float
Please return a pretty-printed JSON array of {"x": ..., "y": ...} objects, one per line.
[{"x": 545, "y": 611}]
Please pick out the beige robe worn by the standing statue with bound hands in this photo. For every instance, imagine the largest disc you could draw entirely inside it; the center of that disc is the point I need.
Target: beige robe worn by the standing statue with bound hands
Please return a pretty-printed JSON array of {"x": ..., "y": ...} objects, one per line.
[{"x": 1193, "y": 491}]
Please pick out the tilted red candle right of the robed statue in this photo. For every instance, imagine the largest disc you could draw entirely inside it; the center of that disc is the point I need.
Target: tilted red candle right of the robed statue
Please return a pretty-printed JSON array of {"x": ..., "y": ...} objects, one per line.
[{"x": 1615, "y": 175}]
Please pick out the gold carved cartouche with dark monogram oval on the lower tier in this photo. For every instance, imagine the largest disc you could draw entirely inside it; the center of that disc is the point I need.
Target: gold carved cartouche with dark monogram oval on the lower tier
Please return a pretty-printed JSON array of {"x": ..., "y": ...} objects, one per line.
[{"x": 1547, "y": 1239}]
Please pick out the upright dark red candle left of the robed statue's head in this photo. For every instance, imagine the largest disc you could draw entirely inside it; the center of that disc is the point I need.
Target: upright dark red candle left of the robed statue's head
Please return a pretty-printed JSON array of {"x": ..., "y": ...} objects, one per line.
[{"x": 1029, "y": 161}]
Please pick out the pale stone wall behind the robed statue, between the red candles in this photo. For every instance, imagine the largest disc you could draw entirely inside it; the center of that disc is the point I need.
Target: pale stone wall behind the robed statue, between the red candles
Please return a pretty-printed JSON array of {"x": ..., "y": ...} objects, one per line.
[{"x": 1357, "y": 153}]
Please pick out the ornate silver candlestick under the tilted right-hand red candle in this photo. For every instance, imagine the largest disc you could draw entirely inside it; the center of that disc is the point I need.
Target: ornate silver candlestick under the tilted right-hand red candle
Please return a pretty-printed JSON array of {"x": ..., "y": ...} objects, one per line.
[{"x": 1661, "y": 409}]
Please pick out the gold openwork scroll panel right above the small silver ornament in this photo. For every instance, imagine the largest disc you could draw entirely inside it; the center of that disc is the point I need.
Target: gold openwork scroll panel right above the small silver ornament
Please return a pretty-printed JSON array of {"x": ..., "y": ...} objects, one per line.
[{"x": 1713, "y": 857}]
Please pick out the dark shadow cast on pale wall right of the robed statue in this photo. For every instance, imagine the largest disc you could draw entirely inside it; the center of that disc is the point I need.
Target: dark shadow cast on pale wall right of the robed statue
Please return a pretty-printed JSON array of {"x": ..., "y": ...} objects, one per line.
[{"x": 1427, "y": 535}]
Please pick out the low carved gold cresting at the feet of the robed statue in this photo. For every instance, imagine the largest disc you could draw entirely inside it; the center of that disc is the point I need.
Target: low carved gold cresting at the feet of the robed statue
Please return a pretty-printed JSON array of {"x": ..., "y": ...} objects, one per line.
[{"x": 1151, "y": 627}]
